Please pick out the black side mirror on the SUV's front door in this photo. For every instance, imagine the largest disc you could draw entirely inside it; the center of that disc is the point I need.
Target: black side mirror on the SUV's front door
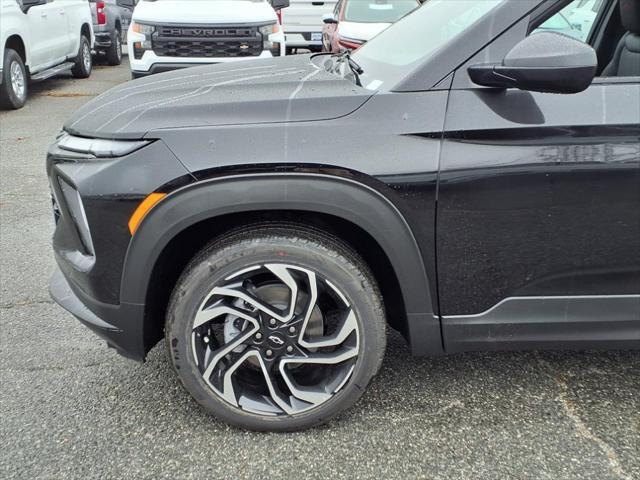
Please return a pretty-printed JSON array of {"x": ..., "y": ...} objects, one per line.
[{"x": 543, "y": 62}]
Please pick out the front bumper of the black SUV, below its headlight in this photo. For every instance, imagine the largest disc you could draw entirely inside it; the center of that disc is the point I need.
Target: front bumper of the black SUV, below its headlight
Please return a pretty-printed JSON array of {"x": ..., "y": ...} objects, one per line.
[{"x": 93, "y": 200}]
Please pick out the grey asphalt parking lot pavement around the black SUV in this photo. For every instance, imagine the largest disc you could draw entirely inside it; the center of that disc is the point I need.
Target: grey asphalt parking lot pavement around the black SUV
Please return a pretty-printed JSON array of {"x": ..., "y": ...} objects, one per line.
[{"x": 71, "y": 408}]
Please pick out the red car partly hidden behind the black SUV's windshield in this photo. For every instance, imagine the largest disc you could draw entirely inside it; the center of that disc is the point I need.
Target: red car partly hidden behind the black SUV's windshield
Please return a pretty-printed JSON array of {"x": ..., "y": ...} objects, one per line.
[{"x": 354, "y": 22}]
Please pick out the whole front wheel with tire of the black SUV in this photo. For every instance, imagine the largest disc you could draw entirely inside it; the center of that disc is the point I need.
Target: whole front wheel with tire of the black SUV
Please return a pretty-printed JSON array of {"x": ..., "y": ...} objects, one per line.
[{"x": 276, "y": 328}]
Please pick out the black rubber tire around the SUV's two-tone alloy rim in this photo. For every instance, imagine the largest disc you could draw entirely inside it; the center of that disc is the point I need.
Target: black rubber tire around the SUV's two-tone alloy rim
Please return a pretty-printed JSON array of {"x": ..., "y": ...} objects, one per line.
[{"x": 300, "y": 247}]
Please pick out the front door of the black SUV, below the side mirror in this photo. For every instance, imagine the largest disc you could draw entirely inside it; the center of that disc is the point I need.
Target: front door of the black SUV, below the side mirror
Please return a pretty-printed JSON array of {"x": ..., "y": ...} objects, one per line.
[{"x": 538, "y": 230}]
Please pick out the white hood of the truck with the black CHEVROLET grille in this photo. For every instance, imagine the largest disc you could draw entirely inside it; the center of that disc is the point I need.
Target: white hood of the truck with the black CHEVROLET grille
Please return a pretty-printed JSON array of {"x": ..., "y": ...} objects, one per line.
[{"x": 204, "y": 13}]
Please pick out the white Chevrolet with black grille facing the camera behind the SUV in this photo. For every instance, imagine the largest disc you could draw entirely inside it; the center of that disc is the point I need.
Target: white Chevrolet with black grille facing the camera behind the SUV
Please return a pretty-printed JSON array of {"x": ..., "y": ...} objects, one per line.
[{"x": 169, "y": 34}]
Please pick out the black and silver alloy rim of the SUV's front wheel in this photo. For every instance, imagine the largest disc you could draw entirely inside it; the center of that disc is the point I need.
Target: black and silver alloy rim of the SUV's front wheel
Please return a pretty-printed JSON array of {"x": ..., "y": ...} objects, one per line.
[{"x": 275, "y": 339}]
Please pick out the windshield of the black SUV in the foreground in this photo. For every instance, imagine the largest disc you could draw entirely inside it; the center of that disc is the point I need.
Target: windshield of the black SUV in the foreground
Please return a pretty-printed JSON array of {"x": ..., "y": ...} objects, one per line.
[{"x": 394, "y": 53}]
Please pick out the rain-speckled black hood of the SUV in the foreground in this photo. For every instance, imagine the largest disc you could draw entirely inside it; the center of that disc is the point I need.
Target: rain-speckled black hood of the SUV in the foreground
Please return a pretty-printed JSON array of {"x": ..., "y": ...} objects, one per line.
[{"x": 286, "y": 89}]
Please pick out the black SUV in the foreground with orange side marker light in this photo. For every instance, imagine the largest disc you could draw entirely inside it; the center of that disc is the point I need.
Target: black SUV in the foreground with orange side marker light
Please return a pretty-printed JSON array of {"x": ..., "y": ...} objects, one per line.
[{"x": 469, "y": 178}]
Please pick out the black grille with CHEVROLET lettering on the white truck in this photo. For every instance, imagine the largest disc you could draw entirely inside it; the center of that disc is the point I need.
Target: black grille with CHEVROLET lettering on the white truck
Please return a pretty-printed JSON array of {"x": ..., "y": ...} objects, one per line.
[{"x": 207, "y": 42}]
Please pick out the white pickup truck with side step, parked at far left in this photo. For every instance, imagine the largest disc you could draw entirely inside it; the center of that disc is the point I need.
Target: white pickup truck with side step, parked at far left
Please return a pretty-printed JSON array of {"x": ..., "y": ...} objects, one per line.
[{"x": 40, "y": 39}]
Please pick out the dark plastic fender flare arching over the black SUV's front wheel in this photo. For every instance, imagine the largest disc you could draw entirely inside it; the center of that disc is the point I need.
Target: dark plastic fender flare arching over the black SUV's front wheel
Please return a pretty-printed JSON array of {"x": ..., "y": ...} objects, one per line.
[{"x": 344, "y": 198}]
